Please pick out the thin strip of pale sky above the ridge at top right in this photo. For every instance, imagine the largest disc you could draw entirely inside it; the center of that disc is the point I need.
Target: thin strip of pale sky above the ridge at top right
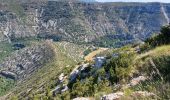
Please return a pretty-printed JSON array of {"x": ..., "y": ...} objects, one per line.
[{"x": 166, "y": 1}]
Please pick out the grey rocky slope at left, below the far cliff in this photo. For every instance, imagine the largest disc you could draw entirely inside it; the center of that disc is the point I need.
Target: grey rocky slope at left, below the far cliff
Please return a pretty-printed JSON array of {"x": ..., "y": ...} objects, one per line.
[{"x": 18, "y": 64}]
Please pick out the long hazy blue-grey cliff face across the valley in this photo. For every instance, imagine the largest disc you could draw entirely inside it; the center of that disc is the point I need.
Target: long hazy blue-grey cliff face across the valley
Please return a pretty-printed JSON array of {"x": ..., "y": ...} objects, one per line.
[{"x": 86, "y": 22}]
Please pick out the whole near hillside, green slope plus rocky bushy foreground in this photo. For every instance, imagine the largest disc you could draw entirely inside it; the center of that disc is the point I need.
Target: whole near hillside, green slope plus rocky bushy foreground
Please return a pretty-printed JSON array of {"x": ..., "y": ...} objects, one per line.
[{"x": 134, "y": 71}]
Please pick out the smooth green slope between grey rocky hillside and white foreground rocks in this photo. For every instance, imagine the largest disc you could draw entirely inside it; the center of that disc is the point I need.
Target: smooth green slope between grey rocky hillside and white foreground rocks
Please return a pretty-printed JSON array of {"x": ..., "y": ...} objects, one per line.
[{"x": 48, "y": 75}]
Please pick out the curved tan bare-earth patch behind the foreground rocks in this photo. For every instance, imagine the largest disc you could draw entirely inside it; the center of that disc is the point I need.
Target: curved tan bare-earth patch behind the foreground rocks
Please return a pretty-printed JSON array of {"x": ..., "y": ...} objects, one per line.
[{"x": 90, "y": 56}]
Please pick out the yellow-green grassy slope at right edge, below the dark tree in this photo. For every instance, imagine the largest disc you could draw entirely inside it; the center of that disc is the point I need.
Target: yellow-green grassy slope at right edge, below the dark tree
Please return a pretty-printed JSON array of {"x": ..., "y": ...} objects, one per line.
[{"x": 160, "y": 57}]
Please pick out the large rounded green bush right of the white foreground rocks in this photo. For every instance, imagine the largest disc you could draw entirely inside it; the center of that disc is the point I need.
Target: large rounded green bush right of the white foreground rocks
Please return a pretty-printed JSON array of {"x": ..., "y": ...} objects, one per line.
[{"x": 120, "y": 67}]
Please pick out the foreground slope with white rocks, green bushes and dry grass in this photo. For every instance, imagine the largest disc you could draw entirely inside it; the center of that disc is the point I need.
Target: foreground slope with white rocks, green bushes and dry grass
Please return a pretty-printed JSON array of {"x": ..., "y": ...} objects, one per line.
[{"x": 123, "y": 75}]
